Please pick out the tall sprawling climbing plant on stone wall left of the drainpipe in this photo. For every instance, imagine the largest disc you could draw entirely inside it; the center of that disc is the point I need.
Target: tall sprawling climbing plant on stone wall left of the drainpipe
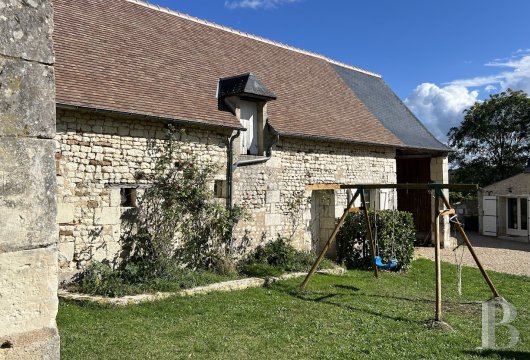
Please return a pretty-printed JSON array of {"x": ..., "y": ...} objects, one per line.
[{"x": 178, "y": 220}]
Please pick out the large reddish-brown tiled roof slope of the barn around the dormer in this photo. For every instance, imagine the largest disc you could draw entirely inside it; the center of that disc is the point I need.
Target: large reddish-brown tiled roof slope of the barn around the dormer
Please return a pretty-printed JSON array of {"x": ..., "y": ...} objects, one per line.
[{"x": 123, "y": 56}]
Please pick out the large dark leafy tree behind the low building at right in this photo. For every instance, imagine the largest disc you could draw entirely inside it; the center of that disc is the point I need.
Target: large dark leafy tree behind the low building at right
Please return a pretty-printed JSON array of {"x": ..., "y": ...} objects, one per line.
[{"x": 492, "y": 143}]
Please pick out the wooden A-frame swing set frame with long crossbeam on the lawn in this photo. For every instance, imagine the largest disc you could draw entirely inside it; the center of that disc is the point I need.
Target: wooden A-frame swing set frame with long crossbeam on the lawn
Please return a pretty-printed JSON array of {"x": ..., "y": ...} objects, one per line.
[{"x": 448, "y": 210}]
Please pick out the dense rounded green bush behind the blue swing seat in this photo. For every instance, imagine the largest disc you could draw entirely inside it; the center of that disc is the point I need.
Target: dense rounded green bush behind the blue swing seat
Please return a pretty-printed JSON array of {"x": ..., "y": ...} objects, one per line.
[{"x": 395, "y": 239}]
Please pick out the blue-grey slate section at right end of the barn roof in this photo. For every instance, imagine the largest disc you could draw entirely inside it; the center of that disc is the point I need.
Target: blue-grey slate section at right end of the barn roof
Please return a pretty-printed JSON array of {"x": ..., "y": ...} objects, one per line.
[{"x": 389, "y": 109}]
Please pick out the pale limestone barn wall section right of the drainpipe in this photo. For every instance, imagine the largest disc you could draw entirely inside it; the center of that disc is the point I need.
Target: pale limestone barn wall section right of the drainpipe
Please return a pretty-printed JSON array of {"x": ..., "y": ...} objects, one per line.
[{"x": 274, "y": 191}]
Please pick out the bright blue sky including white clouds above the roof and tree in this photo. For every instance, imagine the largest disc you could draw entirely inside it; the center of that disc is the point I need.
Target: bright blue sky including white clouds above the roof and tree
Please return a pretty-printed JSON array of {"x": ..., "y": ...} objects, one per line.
[{"x": 438, "y": 56}]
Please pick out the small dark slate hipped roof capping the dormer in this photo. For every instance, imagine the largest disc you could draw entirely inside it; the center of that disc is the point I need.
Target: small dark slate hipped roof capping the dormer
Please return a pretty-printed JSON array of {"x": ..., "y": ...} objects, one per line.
[{"x": 245, "y": 85}]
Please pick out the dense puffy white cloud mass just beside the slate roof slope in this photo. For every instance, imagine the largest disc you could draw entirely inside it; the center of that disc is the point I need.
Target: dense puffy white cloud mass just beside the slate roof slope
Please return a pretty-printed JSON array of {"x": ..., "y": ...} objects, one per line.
[{"x": 440, "y": 108}]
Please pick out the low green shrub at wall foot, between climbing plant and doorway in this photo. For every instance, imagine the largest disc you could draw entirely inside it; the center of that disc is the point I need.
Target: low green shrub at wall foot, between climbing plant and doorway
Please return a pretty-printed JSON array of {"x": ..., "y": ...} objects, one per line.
[{"x": 281, "y": 255}]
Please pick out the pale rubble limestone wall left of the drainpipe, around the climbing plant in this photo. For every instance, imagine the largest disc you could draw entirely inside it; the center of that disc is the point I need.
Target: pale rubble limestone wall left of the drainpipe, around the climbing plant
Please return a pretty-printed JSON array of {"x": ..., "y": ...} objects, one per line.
[{"x": 96, "y": 157}]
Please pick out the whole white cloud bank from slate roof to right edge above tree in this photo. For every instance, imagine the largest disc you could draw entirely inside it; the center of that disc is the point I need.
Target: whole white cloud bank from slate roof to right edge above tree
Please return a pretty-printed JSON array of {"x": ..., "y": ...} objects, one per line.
[{"x": 441, "y": 107}]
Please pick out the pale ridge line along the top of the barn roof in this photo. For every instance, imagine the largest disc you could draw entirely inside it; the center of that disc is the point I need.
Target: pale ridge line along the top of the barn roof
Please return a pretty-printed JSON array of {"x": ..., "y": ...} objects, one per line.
[{"x": 250, "y": 36}]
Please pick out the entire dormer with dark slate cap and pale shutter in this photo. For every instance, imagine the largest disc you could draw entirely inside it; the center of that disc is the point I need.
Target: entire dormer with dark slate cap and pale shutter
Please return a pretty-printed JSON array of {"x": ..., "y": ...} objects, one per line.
[{"x": 247, "y": 97}]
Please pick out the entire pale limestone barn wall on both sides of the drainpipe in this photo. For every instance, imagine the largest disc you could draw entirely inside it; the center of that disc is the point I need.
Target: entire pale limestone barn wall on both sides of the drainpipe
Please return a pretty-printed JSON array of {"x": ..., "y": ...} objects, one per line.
[{"x": 98, "y": 154}]
